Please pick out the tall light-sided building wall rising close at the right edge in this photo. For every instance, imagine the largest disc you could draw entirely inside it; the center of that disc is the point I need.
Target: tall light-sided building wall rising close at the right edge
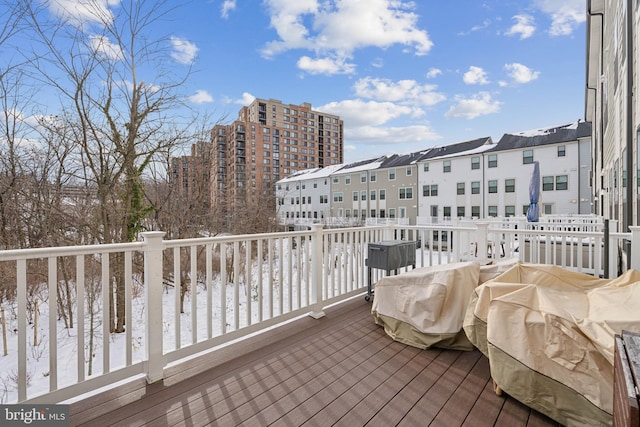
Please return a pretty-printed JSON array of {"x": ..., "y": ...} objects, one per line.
[{"x": 611, "y": 104}]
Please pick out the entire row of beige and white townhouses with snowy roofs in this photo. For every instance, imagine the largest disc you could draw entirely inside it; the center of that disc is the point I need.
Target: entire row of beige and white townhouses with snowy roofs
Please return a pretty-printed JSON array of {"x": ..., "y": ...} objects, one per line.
[{"x": 471, "y": 179}]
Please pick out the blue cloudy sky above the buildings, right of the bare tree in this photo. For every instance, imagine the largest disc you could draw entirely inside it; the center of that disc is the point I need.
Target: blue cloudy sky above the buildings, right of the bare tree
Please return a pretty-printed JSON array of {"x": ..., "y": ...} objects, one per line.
[{"x": 403, "y": 75}]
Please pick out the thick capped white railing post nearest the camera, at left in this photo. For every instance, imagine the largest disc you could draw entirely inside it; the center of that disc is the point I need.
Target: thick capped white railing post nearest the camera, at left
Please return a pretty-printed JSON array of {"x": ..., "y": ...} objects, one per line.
[{"x": 153, "y": 300}]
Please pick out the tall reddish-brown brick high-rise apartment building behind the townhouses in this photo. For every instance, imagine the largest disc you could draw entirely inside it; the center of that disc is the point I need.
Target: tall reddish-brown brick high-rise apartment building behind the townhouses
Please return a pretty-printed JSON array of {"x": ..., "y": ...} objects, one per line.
[{"x": 268, "y": 141}]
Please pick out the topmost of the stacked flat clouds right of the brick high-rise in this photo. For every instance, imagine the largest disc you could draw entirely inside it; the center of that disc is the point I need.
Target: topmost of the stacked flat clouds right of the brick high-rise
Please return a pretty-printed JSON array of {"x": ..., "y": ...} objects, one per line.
[{"x": 402, "y": 91}]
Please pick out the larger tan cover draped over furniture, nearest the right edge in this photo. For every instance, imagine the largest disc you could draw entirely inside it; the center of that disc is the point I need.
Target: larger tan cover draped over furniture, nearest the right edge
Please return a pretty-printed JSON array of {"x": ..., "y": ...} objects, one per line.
[{"x": 549, "y": 336}]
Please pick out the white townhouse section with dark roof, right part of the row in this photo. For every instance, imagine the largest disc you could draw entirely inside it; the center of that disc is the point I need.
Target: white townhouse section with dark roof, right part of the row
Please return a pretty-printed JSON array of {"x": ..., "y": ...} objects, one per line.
[{"x": 492, "y": 180}]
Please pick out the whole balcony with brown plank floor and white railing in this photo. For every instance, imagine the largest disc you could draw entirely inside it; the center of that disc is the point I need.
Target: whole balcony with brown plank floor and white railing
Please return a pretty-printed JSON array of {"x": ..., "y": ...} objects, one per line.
[{"x": 272, "y": 327}]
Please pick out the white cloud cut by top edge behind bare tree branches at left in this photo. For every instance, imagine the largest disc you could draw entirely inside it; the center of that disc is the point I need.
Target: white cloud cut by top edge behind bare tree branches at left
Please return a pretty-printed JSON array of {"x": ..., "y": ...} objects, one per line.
[{"x": 79, "y": 13}]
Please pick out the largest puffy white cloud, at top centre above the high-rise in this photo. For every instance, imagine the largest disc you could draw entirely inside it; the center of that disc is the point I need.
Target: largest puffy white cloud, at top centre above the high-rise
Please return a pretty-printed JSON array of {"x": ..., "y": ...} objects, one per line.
[{"x": 335, "y": 29}]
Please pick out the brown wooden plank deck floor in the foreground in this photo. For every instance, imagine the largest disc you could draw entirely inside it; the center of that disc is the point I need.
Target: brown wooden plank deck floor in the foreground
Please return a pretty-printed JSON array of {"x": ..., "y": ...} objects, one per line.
[{"x": 339, "y": 370}]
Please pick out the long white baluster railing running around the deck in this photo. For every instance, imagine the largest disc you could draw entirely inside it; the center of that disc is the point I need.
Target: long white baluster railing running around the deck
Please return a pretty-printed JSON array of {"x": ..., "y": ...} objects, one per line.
[{"x": 231, "y": 286}]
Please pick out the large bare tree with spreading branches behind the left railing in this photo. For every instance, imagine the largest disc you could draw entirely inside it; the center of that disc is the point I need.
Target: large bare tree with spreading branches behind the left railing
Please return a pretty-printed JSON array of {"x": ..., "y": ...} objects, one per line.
[{"x": 122, "y": 108}]
